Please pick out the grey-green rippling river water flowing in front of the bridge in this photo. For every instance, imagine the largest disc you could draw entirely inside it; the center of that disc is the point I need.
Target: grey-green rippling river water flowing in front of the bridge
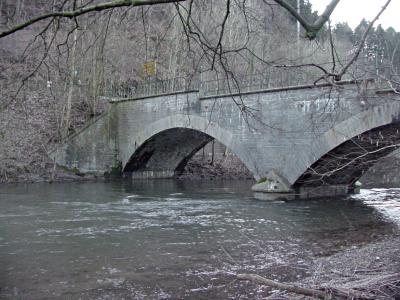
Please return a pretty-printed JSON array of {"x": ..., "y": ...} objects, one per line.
[{"x": 170, "y": 239}]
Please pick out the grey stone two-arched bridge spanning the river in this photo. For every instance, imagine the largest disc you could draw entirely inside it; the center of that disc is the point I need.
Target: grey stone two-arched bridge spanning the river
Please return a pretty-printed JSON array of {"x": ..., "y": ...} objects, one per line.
[{"x": 298, "y": 142}]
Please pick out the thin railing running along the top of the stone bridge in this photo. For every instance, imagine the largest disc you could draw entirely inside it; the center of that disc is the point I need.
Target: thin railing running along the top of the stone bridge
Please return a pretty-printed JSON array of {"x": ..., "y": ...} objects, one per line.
[{"x": 278, "y": 77}]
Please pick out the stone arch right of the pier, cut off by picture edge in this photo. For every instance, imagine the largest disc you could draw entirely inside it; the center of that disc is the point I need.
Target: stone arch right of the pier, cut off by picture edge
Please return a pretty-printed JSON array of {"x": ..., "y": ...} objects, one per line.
[{"x": 342, "y": 154}]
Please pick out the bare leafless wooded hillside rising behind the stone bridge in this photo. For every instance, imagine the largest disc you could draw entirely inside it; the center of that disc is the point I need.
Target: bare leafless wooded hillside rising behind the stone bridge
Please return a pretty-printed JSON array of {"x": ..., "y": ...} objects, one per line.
[{"x": 54, "y": 74}]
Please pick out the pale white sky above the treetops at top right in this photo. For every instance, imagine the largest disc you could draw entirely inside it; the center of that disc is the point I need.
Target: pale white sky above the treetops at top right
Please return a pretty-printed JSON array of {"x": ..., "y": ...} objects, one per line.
[{"x": 352, "y": 11}]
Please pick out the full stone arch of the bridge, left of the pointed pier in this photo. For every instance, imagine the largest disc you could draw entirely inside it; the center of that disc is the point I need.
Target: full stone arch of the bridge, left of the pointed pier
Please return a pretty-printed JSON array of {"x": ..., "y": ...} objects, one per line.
[{"x": 164, "y": 147}]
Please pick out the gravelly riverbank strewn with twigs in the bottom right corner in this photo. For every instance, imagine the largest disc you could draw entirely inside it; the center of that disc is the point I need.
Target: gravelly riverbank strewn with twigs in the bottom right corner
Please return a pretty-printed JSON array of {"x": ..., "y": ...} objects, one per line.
[{"x": 372, "y": 269}]
